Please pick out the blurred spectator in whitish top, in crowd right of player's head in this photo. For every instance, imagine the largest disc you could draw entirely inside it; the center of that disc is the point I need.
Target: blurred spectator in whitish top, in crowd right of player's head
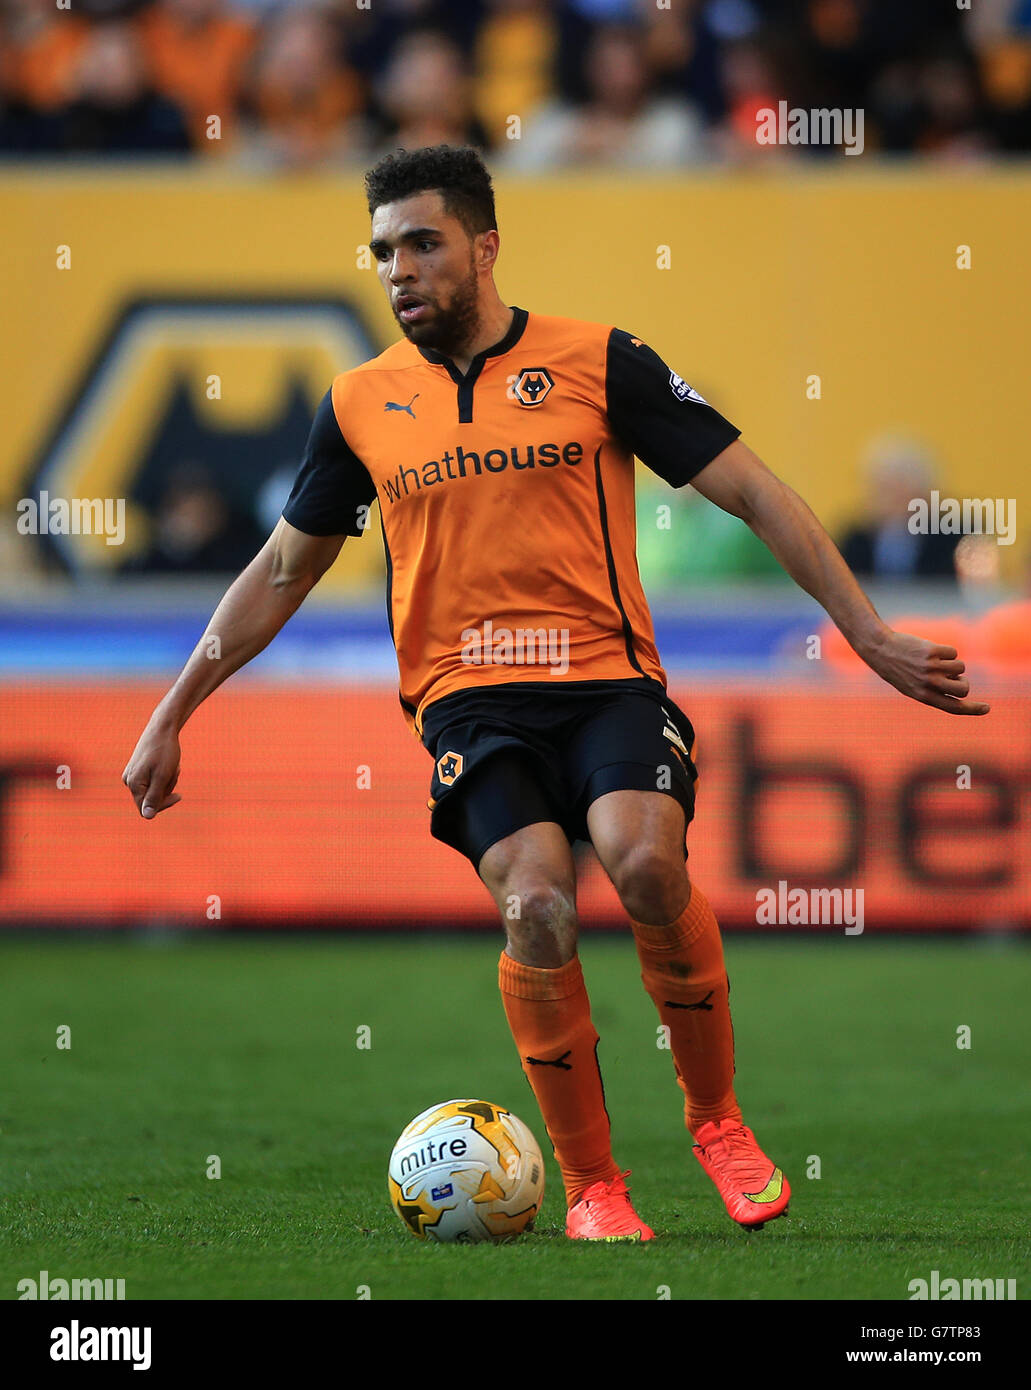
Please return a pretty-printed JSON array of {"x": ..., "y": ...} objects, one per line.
[{"x": 625, "y": 122}]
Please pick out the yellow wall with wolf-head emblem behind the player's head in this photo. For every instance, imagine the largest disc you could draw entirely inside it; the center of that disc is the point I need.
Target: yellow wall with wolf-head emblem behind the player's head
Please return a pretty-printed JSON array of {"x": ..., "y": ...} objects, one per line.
[{"x": 815, "y": 309}]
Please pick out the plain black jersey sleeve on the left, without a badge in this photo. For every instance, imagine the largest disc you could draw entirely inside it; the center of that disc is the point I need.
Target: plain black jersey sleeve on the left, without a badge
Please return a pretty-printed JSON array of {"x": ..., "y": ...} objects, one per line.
[{"x": 333, "y": 484}]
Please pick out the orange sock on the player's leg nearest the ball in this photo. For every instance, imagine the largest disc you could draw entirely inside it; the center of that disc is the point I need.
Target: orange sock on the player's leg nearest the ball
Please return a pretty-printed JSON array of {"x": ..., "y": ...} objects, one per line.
[{"x": 550, "y": 1015}]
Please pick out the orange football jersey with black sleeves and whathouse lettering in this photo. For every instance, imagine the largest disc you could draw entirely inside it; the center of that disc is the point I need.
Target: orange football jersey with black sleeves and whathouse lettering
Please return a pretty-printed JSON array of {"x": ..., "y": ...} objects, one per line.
[{"x": 506, "y": 498}]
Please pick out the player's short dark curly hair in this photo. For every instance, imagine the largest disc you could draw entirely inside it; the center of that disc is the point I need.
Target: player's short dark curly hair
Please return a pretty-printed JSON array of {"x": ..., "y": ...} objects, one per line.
[{"x": 456, "y": 170}]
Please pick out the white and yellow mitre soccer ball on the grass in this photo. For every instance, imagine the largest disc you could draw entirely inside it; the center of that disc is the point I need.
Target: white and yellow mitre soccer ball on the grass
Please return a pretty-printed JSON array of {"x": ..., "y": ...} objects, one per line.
[{"x": 468, "y": 1171}]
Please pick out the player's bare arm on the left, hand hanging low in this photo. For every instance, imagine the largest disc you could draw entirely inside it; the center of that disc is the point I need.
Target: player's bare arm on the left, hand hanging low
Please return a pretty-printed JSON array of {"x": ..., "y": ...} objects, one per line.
[{"x": 255, "y": 608}]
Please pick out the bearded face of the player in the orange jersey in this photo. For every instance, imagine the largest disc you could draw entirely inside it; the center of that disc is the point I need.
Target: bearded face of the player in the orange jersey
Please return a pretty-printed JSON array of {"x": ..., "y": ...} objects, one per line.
[{"x": 427, "y": 268}]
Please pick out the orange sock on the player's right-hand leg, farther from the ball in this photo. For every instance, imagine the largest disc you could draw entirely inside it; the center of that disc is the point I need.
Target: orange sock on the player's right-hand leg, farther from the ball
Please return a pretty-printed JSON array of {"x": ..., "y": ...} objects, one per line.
[{"x": 683, "y": 970}]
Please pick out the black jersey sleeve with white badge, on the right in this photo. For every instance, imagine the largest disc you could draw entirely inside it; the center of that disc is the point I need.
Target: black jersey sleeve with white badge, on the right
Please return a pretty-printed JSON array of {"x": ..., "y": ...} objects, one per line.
[{"x": 658, "y": 415}]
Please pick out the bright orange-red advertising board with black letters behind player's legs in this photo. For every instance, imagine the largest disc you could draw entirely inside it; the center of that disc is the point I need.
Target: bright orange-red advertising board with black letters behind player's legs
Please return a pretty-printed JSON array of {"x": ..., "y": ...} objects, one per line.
[{"x": 308, "y": 810}]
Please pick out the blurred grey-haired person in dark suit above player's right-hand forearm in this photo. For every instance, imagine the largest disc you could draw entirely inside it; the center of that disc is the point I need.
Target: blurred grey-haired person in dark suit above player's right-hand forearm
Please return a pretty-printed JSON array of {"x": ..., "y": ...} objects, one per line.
[{"x": 883, "y": 547}]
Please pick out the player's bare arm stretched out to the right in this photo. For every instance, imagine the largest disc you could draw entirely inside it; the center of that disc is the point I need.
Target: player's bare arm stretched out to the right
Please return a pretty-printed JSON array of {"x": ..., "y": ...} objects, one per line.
[{"x": 740, "y": 483}]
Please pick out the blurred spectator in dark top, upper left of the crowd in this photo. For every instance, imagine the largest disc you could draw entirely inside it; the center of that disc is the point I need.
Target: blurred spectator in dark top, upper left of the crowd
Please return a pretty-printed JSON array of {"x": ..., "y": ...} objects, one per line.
[{"x": 115, "y": 109}]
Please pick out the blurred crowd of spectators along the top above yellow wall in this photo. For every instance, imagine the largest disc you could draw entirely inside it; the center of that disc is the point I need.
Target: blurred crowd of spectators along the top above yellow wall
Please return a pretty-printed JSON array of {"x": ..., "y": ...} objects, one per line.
[{"x": 534, "y": 84}]
